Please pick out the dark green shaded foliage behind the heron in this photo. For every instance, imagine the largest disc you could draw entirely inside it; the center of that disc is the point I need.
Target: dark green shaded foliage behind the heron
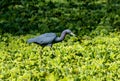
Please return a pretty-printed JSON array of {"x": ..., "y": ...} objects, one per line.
[{"x": 21, "y": 17}]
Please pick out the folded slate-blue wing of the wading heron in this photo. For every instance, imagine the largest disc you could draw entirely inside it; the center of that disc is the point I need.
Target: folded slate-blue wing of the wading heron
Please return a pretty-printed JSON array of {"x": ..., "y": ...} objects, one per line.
[{"x": 45, "y": 39}]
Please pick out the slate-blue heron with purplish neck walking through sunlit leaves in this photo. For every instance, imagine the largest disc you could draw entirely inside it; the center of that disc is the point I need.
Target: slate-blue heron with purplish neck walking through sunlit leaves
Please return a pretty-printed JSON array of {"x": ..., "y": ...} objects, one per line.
[{"x": 48, "y": 39}]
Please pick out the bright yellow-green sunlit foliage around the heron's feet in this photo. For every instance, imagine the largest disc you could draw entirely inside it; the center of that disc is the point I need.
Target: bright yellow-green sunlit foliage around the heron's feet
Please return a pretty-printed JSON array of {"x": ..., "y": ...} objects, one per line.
[{"x": 94, "y": 59}]
